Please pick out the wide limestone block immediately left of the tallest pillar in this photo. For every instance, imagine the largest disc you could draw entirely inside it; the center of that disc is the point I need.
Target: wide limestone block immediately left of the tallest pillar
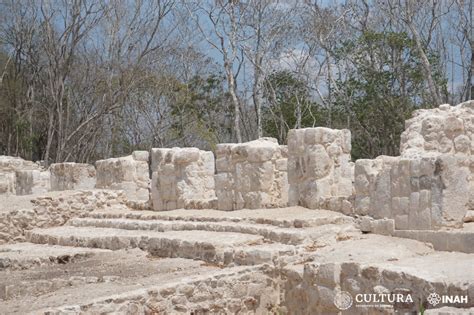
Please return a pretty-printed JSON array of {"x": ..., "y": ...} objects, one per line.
[{"x": 251, "y": 175}]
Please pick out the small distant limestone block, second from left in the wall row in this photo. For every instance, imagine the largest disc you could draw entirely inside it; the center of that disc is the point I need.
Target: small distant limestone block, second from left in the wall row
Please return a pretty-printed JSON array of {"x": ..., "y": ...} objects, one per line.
[{"x": 70, "y": 176}]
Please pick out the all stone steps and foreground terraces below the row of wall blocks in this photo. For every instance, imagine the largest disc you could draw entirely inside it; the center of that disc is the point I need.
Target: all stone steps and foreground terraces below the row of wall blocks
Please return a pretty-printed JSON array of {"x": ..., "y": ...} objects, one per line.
[{"x": 270, "y": 261}]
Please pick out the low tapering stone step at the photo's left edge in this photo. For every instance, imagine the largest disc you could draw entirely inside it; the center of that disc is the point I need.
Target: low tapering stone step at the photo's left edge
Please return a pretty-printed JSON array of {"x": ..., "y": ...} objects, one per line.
[{"x": 21, "y": 256}]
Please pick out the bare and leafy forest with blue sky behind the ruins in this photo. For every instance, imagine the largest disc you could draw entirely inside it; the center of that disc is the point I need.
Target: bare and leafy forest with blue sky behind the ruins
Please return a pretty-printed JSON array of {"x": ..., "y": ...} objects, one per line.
[{"x": 82, "y": 80}]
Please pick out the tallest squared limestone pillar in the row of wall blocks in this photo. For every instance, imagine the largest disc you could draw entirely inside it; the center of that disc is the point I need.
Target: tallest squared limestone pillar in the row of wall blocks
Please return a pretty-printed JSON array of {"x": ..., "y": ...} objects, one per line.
[{"x": 319, "y": 169}]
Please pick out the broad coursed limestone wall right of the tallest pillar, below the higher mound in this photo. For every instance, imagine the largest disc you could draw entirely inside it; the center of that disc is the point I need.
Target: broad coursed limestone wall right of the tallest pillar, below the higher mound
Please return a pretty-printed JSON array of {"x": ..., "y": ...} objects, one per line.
[{"x": 420, "y": 193}]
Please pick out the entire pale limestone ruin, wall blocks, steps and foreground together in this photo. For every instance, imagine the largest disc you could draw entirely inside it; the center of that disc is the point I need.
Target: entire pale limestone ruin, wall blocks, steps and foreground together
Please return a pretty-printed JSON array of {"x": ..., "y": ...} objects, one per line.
[{"x": 302, "y": 223}]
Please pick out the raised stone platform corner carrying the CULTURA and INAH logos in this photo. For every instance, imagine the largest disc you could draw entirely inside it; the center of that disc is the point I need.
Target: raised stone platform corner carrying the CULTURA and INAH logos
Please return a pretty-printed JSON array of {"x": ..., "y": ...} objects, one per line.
[{"x": 443, "y": 273}]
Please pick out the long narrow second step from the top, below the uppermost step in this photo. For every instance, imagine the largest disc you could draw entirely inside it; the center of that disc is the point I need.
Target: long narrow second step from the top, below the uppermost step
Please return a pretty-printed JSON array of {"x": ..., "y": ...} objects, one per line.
[{"x": 269, "y": 232}]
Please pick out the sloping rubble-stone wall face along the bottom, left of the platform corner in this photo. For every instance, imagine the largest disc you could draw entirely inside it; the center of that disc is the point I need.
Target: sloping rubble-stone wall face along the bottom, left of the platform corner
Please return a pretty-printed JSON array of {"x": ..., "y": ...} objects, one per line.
[{"x": 247, "y": 291}]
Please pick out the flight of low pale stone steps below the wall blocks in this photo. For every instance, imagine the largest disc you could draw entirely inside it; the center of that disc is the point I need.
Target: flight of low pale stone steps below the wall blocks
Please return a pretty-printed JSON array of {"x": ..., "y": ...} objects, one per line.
[{"x": 224, "y": 241}]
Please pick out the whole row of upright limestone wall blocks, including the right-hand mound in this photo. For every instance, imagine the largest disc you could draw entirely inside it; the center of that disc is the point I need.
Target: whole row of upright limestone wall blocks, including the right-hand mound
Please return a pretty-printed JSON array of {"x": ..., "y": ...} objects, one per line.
[{"x": 430, "y": 185}]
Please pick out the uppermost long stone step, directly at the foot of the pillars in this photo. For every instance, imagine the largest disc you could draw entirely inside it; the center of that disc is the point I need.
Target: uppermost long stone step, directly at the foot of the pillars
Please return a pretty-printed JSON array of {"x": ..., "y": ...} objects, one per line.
[{"x": 282, "y": 217}]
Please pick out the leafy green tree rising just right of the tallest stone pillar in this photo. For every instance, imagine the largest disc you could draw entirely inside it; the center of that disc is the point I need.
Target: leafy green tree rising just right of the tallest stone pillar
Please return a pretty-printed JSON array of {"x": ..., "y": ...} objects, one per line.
[{"x": 385, "y": 84}]
